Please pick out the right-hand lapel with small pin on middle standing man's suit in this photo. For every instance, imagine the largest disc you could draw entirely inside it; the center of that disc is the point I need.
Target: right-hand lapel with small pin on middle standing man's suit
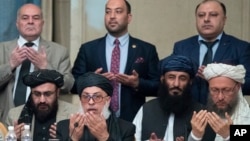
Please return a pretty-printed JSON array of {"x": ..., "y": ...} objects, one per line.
[{"x": 132, "y": 49}]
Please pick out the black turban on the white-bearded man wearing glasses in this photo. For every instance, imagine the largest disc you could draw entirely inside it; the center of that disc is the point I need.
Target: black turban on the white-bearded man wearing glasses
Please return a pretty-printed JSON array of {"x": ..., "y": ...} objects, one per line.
[{"x": 90, "y": 79}]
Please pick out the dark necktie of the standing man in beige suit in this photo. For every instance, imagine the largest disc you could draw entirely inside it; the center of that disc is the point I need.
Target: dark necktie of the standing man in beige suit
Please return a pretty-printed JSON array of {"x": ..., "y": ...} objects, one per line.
[{"x": 20, "y": 93}]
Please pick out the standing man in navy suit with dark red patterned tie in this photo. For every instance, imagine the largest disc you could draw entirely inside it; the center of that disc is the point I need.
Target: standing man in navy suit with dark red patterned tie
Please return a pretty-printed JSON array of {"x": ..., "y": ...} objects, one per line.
[{"x": 137, "y": 75}]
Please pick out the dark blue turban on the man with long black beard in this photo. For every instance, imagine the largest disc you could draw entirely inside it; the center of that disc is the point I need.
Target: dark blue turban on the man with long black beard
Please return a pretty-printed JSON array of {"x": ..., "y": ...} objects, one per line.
[{"x": 177, "y": 63}]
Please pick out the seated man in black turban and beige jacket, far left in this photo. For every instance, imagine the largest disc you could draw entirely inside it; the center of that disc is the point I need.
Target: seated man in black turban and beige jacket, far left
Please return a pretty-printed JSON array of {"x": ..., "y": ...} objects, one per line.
[{"x": 43, "y": 109}]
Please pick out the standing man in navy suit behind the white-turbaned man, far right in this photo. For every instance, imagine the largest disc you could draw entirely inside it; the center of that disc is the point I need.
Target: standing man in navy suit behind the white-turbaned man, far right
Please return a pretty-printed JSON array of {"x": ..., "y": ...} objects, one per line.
[{"x": 210, "y": 21}]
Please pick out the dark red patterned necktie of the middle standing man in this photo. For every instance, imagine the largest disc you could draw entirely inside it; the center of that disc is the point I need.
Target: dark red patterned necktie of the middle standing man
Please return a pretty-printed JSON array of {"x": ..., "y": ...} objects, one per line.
[{"x": 115, "y": 64}]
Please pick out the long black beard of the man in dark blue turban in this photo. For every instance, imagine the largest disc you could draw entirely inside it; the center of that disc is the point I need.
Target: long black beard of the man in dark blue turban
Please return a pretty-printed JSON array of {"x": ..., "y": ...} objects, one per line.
[{"x": 176, "y": 104}]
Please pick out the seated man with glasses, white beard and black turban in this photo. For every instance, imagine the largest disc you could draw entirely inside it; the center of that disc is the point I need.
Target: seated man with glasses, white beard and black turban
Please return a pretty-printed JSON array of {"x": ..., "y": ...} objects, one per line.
[{"x": 96, "y": 122}]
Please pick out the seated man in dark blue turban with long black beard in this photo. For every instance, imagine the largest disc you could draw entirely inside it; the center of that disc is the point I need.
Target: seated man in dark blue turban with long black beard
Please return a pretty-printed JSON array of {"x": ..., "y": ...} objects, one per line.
[{"x": 168, "y": 116}]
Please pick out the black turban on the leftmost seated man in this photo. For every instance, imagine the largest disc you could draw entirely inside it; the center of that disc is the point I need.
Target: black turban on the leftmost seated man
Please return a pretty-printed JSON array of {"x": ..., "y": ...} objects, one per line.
[{"x": 42, "y": 76}]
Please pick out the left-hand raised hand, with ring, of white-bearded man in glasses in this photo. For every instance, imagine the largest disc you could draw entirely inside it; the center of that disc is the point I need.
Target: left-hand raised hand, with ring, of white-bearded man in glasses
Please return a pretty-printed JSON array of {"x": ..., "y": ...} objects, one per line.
[{"x": 76, "y": 133}]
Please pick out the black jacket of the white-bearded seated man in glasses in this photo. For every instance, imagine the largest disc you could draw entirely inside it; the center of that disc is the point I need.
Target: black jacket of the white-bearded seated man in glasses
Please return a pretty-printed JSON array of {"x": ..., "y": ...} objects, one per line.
[{"x": 120, "y": 129}]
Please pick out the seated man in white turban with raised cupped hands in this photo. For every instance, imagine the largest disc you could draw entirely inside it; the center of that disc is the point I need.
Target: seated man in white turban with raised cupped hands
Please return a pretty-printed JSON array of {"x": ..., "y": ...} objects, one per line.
[{"x": 226, "y": 104}]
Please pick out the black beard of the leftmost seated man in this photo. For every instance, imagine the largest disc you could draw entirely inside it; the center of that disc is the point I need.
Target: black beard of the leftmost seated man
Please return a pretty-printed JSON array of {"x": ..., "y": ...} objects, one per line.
[{"x": 42, "y": 115}]
